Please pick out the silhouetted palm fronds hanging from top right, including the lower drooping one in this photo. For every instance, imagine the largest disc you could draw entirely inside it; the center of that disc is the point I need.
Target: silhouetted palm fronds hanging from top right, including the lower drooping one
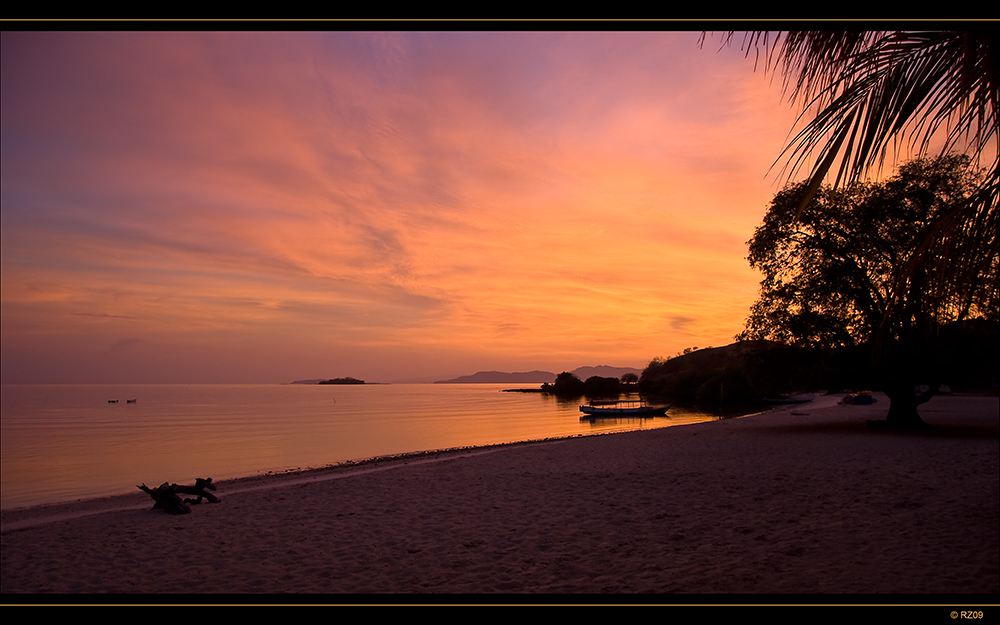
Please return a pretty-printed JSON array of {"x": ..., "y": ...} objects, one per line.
[{"x": 866, "y": 94}]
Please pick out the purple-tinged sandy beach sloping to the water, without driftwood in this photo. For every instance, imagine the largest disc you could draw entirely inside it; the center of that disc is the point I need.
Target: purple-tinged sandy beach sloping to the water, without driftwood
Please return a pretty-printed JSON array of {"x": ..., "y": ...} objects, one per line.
[{"x": 803, "y": 500}]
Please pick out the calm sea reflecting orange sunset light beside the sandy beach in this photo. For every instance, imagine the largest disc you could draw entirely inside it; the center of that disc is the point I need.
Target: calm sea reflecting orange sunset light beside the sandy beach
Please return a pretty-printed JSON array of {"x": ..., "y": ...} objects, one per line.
[{"x": 67, "y": 442}]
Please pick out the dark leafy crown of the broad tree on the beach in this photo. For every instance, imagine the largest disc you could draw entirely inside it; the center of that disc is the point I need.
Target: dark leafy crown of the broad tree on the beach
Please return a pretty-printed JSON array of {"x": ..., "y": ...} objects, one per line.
[{"x": 839, "y": 272}]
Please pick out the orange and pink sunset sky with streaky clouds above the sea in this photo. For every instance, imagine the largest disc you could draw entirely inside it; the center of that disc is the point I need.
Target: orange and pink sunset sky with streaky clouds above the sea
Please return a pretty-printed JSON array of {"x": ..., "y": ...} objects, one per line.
[{"x": 394, "y": 206}]
